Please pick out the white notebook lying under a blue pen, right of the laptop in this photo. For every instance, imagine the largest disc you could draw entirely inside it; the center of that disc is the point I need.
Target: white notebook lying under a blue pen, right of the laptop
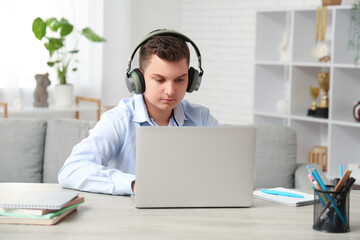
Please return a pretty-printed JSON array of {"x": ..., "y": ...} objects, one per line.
[{"x": 290, "y": 201}]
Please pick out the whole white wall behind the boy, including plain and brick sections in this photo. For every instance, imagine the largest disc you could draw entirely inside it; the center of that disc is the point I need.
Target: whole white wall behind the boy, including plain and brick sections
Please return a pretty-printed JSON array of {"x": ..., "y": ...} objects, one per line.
[{"x": 223, "y": 30}]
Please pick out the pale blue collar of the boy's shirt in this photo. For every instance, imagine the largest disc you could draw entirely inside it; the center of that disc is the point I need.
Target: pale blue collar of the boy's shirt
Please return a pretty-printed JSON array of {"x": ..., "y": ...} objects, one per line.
[{"x": 141, "y": 114}]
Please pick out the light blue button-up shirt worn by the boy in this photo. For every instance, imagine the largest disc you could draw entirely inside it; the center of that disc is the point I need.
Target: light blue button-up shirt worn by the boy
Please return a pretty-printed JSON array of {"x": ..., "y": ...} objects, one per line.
[{"x": 105, "y": 161}]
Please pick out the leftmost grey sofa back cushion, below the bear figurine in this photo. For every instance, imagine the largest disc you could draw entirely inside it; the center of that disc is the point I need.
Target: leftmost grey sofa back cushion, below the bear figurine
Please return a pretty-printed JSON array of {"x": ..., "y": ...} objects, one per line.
[{"x": 21, "y": 149}]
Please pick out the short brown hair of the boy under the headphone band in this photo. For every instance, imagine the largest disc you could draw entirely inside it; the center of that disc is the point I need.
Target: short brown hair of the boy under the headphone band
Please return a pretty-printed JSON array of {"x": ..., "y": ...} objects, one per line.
[{"x": 168, "y": 48}]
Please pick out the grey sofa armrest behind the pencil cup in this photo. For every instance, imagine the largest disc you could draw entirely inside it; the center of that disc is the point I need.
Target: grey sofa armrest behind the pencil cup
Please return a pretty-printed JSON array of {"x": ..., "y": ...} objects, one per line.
[{"x": 301, "y": 176}]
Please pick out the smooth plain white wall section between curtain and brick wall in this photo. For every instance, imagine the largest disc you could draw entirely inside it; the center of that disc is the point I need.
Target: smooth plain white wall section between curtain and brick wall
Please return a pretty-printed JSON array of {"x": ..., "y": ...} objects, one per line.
[{"x": 126, "y": 22}]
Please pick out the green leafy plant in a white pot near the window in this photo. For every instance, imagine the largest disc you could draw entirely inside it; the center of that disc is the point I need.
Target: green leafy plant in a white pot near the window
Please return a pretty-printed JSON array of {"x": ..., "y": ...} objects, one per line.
[{"x": 55, "y": 33}]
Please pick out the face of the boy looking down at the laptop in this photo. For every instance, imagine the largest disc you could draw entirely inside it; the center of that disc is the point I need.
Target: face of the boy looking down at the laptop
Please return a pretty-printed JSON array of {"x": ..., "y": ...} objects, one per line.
[{"x": 165, "y": 84}]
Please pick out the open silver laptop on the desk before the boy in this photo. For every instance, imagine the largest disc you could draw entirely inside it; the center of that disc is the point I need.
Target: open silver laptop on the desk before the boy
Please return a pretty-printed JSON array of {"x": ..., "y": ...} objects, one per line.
[{"x": 184, "y": 167}]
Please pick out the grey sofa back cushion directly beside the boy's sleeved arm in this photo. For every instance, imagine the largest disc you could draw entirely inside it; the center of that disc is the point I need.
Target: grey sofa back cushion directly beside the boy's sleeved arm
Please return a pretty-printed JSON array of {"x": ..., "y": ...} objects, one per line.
[{"x": 62, "y": 135}]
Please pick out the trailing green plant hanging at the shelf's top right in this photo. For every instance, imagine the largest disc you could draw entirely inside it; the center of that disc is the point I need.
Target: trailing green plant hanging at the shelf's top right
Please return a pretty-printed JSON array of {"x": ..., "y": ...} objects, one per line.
[{"x": 354, "y": 31}]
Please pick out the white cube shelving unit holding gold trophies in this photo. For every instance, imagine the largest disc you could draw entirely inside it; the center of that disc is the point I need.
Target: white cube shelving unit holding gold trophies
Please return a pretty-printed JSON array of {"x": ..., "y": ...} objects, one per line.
[{"x": 276, "y": 80}]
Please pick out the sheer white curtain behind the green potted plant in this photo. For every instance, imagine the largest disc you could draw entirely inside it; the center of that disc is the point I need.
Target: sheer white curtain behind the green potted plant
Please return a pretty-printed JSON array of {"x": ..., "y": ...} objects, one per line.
[{"x": 22, "y": 55}]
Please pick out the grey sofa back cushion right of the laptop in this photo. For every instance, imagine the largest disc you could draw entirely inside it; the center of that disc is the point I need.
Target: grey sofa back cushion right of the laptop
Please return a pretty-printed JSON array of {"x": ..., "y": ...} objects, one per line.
[{"x": 276, "y": 150}]
